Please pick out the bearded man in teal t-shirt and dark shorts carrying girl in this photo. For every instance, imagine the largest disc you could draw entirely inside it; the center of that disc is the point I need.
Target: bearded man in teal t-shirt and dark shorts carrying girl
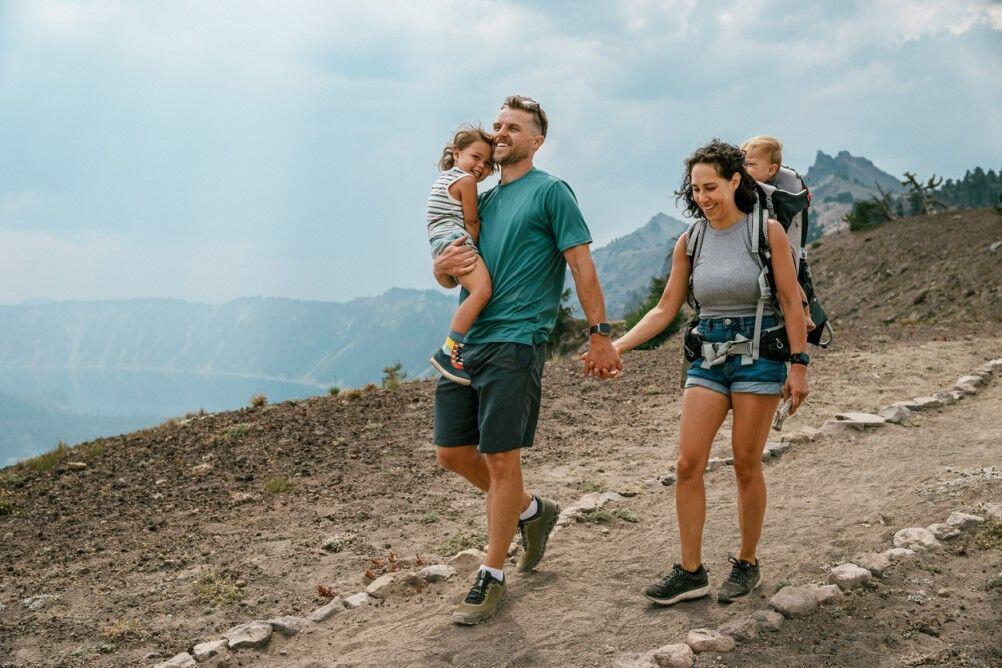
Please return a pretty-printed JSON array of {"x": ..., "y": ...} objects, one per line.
[{"x": 533, "y": 230}]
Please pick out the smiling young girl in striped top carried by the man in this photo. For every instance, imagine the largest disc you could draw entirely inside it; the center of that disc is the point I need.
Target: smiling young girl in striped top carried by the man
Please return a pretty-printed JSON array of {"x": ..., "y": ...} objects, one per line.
[{"x": 452, "y": 215}]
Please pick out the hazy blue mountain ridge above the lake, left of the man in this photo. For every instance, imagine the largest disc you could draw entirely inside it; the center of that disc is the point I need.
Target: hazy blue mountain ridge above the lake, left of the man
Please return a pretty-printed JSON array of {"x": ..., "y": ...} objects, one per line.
[{"x": 314, "y": 343}]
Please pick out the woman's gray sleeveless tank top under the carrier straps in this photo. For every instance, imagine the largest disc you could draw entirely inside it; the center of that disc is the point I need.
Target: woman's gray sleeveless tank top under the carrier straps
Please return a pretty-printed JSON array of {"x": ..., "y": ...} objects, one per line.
[{"x": 726, "y": 276}]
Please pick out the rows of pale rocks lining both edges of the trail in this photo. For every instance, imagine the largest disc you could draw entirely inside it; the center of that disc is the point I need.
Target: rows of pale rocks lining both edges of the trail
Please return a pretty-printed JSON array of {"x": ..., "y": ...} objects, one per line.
[{"x": 792, "y": 601}]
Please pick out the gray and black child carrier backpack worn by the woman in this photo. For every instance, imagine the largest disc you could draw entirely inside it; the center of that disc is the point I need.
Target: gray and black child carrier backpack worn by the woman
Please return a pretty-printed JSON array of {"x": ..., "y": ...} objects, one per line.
[{"x": 773, "y": 343}]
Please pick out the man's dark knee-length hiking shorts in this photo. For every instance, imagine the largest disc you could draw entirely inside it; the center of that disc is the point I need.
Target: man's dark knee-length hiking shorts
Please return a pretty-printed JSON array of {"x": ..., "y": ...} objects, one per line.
[{"x": 499, "y": 410}]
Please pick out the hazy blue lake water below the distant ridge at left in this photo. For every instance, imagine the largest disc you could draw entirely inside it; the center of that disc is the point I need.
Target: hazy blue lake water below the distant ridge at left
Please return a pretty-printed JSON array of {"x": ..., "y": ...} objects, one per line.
[{"x": 47, "y": 406}]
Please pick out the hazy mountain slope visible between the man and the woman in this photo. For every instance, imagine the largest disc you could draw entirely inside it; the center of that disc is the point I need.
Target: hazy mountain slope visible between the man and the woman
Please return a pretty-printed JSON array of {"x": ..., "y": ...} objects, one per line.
[{"x": 627, "y": 265}]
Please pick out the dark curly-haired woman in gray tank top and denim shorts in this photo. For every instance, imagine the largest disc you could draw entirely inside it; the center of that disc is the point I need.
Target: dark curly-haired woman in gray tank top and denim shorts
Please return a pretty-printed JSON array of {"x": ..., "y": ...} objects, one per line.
[{"x": 725, "y": 283}]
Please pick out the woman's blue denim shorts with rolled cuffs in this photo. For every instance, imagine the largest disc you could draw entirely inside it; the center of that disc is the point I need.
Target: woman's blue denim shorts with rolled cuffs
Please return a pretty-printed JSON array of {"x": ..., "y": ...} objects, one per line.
[{"x": 763, "y": 377}]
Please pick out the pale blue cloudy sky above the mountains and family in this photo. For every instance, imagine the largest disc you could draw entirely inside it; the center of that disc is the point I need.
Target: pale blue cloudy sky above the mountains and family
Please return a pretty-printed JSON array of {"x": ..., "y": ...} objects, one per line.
[{"x": 214, "y": 151}]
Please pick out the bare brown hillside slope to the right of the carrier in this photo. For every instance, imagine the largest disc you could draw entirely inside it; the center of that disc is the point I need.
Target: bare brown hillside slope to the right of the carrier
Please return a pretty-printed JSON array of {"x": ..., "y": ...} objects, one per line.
[{"x": 930, "y": 276}]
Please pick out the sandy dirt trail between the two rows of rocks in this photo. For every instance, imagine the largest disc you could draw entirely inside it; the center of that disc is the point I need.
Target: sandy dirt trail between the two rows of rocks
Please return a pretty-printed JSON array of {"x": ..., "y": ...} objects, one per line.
[{"x": 584, "y": 607}]
